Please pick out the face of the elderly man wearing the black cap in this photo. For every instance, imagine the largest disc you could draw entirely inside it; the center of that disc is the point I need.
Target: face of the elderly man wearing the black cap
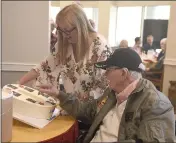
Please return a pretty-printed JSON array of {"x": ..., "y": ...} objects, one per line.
[{"x": 114, "y": 77}]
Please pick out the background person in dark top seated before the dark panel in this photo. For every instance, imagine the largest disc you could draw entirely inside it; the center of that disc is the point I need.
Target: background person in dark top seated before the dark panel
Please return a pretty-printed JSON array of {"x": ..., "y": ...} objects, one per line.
[{"x": 149, "y": 45}]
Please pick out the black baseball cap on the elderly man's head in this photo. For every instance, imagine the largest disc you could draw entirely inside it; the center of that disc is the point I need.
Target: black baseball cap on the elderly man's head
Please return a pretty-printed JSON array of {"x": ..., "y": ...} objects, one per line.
[{"x": 123, "y": 58}]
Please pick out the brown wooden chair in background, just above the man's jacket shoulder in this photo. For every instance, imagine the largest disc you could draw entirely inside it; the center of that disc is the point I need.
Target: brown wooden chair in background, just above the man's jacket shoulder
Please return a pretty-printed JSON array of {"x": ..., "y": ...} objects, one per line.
[{"x": 158, "y": 82}]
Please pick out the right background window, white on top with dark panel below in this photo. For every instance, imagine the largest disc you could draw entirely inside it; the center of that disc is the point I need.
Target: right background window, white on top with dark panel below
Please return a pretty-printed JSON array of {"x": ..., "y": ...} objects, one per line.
[{"x": 156, "y": 20}]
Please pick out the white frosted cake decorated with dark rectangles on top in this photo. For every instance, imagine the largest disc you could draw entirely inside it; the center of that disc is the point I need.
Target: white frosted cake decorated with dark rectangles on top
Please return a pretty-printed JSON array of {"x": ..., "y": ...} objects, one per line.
[{"x": 30, "y": 102}]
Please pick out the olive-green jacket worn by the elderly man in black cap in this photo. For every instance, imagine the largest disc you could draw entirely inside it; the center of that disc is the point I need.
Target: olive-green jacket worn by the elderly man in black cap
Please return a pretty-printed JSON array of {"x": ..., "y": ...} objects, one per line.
[{"x": 148, "y": 116}]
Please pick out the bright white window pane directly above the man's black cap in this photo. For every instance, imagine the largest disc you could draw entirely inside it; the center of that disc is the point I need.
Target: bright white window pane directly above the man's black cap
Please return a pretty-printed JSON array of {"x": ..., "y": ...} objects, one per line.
[{"x": 128, "y": 24}]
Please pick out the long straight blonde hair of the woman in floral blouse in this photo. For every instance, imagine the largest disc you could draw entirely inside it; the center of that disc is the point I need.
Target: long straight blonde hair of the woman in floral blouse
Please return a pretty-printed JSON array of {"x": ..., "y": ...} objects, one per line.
[{"x": 75, "y": 16}]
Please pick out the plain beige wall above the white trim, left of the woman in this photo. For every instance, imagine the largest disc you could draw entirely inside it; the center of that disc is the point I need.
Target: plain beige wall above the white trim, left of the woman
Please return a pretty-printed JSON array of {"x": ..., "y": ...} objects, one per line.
[{"x": 25, "y": 36}]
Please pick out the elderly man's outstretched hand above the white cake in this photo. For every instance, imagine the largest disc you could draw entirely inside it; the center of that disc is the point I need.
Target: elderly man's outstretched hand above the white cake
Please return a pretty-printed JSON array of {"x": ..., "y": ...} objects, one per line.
[{"x": 49, "y": 89}]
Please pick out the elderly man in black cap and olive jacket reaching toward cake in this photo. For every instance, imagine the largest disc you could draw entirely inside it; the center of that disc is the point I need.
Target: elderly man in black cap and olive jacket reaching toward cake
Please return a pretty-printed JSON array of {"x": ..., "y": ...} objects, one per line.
[{"x": 131, "y": 109}]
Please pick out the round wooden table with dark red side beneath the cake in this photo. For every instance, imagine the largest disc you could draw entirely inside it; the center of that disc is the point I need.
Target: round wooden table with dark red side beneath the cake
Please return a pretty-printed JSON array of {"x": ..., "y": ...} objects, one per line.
[{"x": 61, "y": 129}]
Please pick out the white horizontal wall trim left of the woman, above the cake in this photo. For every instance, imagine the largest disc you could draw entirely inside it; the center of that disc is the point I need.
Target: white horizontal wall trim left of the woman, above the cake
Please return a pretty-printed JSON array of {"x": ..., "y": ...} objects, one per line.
[{"x": 9, "y": 66}]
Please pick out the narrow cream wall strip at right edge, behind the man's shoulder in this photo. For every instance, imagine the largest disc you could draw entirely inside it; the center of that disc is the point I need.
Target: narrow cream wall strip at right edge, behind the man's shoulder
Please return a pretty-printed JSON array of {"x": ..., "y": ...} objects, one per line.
[{"x": 170, "y": 61}]
